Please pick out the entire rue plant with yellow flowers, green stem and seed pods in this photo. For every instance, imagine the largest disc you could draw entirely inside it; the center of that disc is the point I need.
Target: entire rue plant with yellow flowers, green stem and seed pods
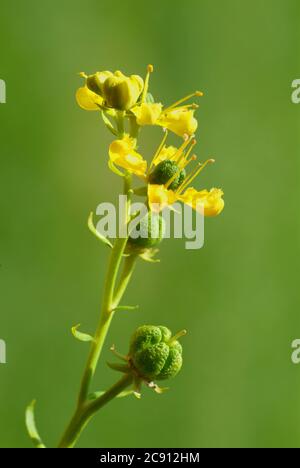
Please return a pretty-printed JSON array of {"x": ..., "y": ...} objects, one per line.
[{"x": 125, "y": 106}]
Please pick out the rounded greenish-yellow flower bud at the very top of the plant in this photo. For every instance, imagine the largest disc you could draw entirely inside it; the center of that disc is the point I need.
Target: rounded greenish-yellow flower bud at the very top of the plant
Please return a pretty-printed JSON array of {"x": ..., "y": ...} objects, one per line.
[{"x": 122, "y": 92}]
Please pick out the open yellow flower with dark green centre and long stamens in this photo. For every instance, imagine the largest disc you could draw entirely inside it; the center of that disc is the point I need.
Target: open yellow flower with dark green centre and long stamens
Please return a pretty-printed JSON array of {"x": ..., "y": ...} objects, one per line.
[{"x": 168, "y": 182}]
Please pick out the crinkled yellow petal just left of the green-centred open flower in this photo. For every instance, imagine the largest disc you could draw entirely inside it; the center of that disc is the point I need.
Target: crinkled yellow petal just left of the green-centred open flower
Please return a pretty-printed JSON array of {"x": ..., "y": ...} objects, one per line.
[{"x": 122, "y": 153}]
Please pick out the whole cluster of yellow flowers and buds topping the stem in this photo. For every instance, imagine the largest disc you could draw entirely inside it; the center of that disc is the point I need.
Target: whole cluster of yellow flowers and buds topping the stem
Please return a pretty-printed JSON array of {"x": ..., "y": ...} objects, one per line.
[{"x": 166, "y": 177}]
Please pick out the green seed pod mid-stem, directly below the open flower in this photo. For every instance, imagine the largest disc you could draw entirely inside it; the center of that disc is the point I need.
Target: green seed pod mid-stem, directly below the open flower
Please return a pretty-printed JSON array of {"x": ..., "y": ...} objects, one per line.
[{"x": 149, "y": 232}]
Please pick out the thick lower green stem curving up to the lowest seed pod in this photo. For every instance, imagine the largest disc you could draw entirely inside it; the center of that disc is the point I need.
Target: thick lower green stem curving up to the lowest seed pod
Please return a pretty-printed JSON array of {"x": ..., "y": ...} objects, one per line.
[{"x": 84, "y": 414}]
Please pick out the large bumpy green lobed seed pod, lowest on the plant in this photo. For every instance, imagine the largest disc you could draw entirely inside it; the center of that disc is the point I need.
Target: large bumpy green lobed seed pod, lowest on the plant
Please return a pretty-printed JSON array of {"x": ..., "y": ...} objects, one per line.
[{"x": 154, "y": 353}]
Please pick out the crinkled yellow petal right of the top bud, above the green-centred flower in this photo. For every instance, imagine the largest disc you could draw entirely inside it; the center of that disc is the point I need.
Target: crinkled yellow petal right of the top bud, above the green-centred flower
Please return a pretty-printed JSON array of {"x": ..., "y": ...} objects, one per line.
[{"x": 180, "y": 121}]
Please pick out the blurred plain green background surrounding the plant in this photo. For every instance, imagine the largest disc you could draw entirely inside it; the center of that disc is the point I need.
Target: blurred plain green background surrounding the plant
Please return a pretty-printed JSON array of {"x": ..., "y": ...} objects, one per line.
[{"x": 238, "y": 296}]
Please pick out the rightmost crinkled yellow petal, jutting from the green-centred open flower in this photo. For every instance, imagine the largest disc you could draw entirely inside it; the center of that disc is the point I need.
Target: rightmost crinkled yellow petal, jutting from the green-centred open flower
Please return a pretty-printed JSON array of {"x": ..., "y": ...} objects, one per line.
[{"x": 210, "y": 201}]
